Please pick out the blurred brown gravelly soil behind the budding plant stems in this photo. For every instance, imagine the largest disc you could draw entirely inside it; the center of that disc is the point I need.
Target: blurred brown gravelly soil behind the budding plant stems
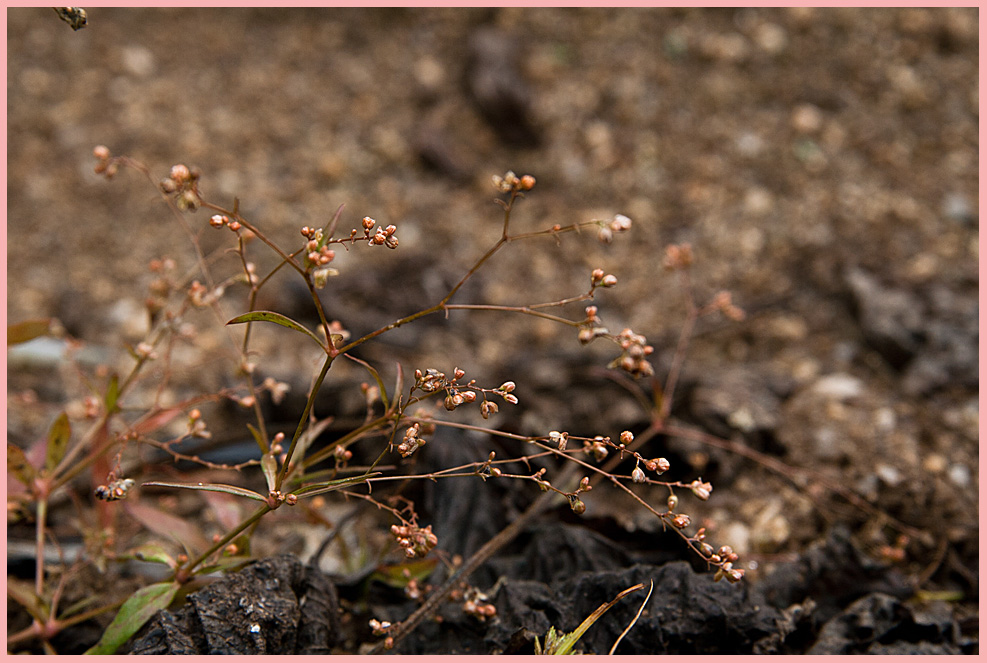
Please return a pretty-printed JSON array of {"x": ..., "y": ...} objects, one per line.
[{"x": 823, "y": 164}]
